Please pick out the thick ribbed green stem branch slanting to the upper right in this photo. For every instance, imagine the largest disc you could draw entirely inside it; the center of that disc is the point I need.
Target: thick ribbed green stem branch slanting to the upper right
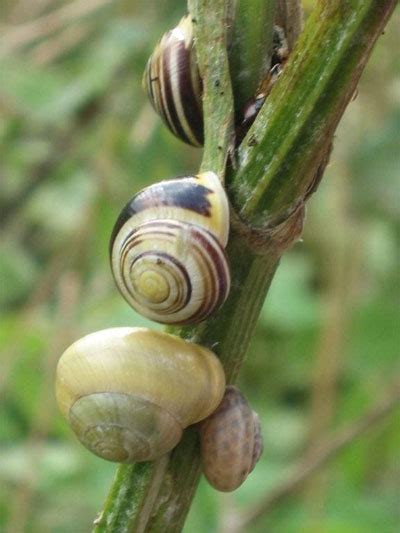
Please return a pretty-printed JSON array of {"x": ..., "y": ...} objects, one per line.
[{"x": 281, "y": 151}]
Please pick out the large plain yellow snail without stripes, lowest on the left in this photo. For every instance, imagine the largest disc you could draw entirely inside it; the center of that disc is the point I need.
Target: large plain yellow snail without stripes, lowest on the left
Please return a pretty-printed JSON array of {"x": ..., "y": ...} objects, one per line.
[{"x": 128, "y": 393}]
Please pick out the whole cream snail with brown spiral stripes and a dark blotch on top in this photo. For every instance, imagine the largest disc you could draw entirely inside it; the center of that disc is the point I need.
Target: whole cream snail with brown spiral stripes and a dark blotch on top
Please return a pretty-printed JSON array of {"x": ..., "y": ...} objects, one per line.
[{"x": 167, "y": 249}]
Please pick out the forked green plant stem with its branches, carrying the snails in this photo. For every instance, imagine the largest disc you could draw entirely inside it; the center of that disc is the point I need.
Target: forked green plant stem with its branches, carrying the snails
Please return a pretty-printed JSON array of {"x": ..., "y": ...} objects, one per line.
[{"x": 156, "y": 496}]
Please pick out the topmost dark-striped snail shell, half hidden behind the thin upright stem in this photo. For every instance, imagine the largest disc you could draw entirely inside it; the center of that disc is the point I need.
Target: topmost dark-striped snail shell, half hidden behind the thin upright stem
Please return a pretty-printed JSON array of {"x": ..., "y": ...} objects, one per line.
[{"x": 173, "y": 84}]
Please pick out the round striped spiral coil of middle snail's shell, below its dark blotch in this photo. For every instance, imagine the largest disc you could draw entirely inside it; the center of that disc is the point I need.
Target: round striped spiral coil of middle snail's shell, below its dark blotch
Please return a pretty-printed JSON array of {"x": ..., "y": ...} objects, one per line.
[{"x": 173, "y": 272}]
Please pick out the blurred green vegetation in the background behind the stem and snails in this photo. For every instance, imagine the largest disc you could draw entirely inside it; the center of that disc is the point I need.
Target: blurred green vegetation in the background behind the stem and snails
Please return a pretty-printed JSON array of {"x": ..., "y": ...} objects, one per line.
[{"x": 77, "y": 140}]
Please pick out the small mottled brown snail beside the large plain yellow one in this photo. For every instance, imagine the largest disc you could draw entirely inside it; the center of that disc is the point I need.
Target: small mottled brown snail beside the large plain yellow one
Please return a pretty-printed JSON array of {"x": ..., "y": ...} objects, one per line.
[{"x": 230, "y": 442}]
